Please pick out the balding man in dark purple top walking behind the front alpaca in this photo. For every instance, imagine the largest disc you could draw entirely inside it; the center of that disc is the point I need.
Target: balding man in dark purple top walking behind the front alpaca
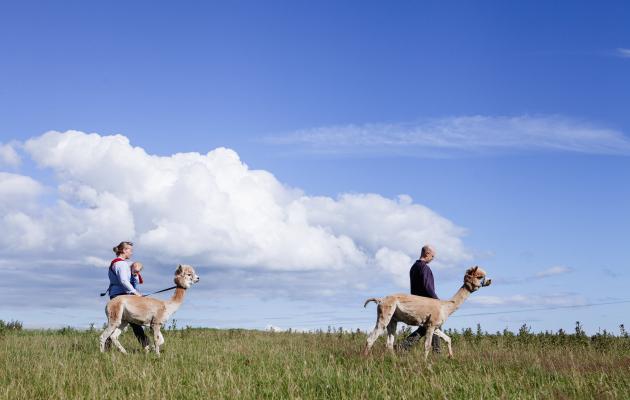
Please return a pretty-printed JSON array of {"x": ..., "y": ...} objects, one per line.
[{"x": 422, "y": 284}]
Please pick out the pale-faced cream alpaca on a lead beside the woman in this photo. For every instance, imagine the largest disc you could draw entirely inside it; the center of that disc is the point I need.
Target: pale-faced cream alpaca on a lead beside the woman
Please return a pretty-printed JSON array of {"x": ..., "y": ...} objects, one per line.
[{"x": 146, "y": 311}]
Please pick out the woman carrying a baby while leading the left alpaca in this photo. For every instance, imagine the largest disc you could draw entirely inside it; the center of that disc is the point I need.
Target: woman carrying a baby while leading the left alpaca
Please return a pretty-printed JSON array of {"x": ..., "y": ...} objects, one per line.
[{"x": 119, "y": 282}]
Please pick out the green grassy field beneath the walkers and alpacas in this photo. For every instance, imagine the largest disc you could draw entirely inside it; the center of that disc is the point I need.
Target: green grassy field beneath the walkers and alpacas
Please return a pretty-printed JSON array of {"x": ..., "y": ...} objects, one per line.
[{"x": 207, "y": 363}]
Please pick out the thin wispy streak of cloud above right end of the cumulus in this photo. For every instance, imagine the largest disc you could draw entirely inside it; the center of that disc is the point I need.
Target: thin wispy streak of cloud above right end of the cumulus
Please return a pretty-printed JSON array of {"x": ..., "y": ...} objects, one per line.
[{"x": 463, "y": 135}]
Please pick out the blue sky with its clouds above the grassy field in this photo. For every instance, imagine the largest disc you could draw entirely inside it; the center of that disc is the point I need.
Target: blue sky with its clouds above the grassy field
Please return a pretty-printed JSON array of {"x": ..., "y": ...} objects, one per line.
[{"x": 505, "y": 123}]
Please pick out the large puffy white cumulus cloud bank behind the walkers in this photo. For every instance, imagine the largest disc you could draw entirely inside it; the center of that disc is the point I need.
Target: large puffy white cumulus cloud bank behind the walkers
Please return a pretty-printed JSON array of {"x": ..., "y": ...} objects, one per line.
[{"x": 213, "y": 210}]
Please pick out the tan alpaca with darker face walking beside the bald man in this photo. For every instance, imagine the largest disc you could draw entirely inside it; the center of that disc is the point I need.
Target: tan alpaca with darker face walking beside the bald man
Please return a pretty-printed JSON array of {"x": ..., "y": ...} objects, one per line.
[{"x": 417, "y": 310}]
